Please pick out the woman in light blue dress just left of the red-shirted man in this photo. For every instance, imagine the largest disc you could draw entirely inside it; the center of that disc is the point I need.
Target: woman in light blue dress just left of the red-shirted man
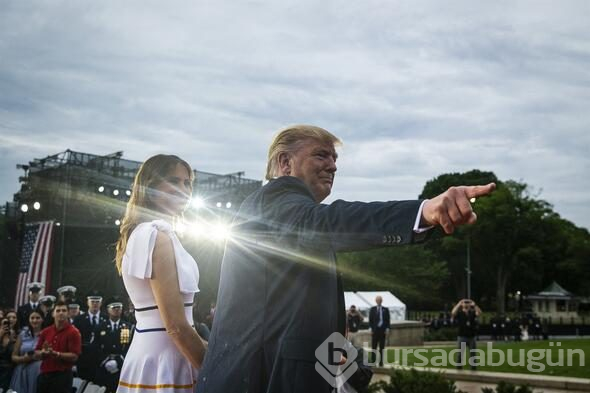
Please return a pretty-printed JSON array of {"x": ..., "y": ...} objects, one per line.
[{"x": 24, "y": 377}]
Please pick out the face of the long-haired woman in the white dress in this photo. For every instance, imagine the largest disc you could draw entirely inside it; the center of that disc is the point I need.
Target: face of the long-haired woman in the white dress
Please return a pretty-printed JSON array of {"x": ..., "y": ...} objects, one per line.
[{"x": 172, "y": 195}]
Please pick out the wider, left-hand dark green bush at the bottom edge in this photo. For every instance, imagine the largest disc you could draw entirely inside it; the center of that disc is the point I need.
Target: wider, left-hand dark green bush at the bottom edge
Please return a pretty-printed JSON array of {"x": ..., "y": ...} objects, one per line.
[{"x": 412, "y": 381}]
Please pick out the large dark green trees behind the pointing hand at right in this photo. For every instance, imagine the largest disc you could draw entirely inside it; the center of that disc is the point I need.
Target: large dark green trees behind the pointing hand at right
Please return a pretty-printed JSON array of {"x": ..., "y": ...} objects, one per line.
[{"x": 518, "y": 243}]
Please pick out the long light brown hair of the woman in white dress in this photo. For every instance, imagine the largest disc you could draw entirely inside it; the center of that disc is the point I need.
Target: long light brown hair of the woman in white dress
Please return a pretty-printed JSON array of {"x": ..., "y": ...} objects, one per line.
[{"x": 140, "y": 208}]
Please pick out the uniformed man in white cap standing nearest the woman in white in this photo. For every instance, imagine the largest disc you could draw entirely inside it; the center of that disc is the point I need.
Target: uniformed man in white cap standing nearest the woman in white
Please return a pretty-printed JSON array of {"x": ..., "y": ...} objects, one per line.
[{"x": 113, "y": 340}]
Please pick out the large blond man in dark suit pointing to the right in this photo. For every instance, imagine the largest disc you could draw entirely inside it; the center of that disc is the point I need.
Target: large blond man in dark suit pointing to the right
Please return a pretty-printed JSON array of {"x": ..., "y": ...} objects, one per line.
[{"x": 280, "y": 295}]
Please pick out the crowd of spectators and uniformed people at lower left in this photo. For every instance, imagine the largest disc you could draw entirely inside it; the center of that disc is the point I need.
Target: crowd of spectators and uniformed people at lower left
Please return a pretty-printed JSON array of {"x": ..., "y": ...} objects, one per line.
[{"x": 35, "y": 358}]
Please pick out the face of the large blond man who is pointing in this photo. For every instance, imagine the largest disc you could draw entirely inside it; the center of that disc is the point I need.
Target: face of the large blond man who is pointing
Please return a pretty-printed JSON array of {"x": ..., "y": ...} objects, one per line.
[{"x": 315, "y": 164}]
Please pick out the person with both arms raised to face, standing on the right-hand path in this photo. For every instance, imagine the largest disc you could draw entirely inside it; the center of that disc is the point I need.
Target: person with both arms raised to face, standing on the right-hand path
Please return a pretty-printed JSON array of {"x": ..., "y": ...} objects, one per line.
[{"x": 466, "y": 314}]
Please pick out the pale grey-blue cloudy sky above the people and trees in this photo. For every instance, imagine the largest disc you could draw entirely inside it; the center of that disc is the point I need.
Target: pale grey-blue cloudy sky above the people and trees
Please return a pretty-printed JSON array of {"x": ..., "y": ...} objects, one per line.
[{"x": 414, "y": 89}]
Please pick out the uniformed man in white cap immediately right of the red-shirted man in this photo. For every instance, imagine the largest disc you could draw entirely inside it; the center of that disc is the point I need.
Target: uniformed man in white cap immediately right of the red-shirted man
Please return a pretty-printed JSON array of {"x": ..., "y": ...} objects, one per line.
[{"x": 89, "y": 326}]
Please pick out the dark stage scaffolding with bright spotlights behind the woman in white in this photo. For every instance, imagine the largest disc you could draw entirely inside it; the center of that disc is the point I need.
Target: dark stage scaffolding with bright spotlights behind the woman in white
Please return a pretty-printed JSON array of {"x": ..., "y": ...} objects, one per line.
[{"x": 86, "y": 195}]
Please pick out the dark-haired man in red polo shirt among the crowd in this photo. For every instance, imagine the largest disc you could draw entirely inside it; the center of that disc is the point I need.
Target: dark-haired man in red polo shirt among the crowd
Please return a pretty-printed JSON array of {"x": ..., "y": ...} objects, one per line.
[{"x": 58, "y": 347}]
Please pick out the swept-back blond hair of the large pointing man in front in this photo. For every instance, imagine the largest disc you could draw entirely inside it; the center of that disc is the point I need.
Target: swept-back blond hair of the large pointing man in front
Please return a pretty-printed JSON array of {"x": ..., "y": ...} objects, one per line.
[{"x": 290, "y": 139}]
